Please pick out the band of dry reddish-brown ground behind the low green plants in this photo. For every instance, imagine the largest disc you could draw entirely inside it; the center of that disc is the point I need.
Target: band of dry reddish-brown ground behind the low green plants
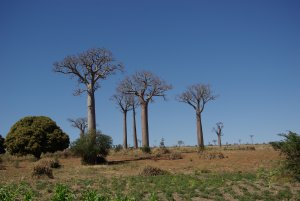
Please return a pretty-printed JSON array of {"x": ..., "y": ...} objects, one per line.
[{"x": 126, "y": 163}]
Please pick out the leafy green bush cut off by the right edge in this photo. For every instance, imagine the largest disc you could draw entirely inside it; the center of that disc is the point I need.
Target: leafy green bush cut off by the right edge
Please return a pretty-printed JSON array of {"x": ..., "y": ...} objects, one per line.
[{"x": 290, "y": 148}]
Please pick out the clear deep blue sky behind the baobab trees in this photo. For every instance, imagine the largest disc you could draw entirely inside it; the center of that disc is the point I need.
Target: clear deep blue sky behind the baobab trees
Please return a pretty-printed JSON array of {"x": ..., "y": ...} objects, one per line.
[{"x": 248, "y": 51}]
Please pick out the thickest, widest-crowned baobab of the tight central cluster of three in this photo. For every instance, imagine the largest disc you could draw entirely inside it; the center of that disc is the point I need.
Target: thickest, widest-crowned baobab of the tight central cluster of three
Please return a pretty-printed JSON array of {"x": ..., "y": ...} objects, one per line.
[{"x": 145, "y": 86}]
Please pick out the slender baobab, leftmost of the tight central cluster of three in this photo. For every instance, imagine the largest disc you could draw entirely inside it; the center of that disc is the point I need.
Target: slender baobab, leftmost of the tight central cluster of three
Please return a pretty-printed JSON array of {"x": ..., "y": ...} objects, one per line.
[{"x": 124, "y": 102}]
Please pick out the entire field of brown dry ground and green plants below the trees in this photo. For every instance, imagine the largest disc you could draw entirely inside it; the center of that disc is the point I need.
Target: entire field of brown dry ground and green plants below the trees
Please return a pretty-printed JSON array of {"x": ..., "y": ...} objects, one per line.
[{"x": 242, "y": 173}]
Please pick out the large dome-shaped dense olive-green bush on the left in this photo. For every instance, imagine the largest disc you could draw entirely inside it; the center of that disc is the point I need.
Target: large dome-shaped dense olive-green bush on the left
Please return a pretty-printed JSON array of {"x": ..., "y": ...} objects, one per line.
[{"x": 35, "y": 135}]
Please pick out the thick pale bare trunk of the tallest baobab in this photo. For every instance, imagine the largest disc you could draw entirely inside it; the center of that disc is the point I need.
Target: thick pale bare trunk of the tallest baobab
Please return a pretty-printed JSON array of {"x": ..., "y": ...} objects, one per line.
[{"x": 91, "y": 110}]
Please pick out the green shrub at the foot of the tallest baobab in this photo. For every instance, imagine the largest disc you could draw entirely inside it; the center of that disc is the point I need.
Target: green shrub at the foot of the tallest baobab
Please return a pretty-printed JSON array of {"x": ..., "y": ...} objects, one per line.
[{"x": 92, "y": 147}]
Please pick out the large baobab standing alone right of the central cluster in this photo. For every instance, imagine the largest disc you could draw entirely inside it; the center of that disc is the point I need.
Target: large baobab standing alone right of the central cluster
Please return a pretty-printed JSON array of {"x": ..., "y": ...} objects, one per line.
[{"x": 197, "y": 96}]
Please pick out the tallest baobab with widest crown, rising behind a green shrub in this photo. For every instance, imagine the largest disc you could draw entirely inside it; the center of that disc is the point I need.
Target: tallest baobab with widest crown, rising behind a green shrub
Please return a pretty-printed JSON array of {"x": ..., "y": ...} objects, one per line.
[{"x": 89, "y": 68}]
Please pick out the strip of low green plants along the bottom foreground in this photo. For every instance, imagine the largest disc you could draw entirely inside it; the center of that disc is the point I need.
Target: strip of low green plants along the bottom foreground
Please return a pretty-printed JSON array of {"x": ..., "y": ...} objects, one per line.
[{"x": 239, "y": 186}]
